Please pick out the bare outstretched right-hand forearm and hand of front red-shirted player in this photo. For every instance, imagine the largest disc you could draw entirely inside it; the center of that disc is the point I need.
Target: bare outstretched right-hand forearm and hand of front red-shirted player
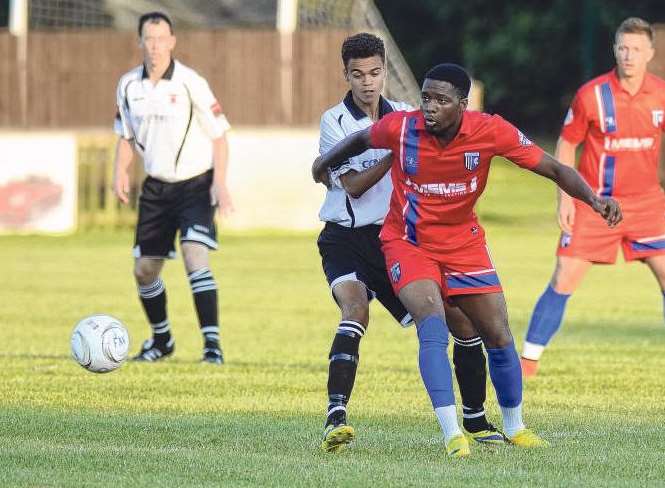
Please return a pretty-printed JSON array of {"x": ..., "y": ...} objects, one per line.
[{"x": 570, "y": 181}]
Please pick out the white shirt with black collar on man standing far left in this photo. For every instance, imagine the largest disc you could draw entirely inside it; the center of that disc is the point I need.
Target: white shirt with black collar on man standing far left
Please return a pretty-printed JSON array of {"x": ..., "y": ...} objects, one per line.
[{"x": 171, "y": 123}]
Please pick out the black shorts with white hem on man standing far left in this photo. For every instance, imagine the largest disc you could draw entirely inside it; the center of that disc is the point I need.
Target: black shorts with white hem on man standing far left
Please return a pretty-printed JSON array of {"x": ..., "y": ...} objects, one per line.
[{"x": 165, "y": 208}]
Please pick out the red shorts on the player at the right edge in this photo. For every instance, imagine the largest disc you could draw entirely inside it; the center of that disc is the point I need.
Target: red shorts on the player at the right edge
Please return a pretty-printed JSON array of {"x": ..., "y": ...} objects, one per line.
[{"x": 641, "y": 233}]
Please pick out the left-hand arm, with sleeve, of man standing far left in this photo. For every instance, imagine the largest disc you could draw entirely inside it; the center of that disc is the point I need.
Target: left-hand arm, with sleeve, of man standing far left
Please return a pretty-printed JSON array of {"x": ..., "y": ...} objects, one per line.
[{"x": 124, "y": 151}]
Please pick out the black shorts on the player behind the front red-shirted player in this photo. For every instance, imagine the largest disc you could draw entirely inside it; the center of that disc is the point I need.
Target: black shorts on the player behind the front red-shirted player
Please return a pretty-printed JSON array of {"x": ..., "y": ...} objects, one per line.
[{"x": 354, "y": 254}]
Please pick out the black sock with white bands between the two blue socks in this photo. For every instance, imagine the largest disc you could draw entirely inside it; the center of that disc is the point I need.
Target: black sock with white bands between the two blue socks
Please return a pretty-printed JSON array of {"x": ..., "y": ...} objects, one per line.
[{"x": 471, "y": 373}]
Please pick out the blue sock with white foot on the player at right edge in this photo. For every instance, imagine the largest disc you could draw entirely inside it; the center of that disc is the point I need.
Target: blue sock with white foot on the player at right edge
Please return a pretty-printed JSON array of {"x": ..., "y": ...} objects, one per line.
[{"x": 545, "y": 322}]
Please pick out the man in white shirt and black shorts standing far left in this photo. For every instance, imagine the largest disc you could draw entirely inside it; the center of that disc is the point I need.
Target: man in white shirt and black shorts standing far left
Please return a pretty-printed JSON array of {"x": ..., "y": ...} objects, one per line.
[{"x": 167, "y": 113}]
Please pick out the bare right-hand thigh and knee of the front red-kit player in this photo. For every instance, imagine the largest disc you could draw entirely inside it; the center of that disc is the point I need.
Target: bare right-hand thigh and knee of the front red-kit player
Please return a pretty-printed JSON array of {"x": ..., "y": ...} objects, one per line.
[{"x": 487, "y": 312}]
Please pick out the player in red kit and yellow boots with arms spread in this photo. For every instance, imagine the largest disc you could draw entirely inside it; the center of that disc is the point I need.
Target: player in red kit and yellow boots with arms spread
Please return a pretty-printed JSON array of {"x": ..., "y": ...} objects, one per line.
[{"x": 433, "y": 243}]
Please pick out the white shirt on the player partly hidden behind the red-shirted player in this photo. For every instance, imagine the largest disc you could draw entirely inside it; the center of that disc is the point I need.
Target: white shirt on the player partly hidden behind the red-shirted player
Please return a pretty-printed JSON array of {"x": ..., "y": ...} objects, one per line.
[{"x": 336, "y": 123}]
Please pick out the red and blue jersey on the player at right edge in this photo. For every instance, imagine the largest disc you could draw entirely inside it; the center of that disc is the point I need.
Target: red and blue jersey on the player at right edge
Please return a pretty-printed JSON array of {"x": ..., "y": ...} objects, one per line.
[{"x": 621, "y": 134}]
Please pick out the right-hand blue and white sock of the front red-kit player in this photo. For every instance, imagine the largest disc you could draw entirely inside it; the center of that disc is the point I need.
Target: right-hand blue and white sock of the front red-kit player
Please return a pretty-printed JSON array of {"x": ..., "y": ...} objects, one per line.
[{"x": 506, "y": 374}]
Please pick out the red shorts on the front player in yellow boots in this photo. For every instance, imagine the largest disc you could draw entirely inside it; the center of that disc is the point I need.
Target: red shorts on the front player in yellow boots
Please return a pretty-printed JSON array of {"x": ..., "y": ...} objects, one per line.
[{"x": 463, "y": 269}]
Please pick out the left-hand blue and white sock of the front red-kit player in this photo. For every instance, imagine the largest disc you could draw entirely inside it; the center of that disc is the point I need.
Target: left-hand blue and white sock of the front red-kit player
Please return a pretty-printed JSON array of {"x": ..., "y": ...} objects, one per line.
[{"x": 436, "y": 374}]
